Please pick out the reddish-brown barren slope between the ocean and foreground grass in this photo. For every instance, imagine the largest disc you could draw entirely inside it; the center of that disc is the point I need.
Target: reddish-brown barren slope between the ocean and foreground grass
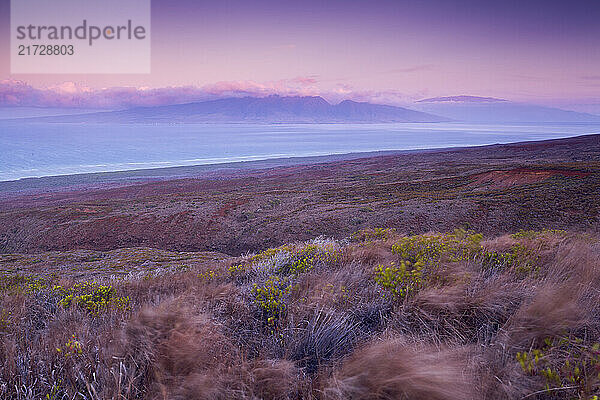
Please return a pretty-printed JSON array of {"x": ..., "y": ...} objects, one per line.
[{"x": 493, "y": 189}]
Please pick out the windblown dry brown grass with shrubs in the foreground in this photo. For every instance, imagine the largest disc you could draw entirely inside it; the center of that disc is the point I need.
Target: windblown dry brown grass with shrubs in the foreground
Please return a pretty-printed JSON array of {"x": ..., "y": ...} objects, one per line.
[{"x": 487, "y": 324}]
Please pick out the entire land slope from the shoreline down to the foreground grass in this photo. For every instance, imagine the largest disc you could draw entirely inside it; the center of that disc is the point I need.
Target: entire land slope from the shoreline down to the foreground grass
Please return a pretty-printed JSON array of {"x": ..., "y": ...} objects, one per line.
[{"x": 374, "y": 315}]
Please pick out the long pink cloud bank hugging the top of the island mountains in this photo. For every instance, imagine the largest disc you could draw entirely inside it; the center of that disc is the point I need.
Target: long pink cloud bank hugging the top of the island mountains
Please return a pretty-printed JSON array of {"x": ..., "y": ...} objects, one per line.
[{"x": 73, "y": 95}]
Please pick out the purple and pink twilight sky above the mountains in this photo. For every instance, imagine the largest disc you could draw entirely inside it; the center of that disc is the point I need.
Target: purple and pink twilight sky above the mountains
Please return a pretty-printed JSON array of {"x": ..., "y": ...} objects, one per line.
[{"x": 539, "y": 51}]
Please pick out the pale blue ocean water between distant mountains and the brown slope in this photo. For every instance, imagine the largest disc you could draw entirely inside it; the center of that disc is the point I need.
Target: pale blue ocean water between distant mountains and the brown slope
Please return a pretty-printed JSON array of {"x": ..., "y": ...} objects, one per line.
[{"x": 45, "y": 149}]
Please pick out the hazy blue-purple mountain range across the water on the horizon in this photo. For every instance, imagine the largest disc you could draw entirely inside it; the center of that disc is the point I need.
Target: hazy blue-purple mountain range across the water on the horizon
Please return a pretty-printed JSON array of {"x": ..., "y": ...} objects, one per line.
[{"x": 314, "y": 109}]
